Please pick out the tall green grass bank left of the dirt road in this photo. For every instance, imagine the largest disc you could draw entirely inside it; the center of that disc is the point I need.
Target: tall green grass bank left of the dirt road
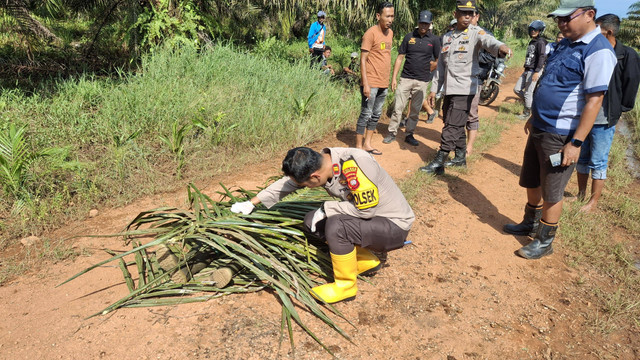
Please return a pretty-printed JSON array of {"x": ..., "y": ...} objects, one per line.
[{"x": 241, "y": 104}]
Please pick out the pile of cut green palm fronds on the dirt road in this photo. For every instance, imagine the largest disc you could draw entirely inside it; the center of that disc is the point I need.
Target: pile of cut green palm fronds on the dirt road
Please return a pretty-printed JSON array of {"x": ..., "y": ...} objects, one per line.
[{"x": 194, "y": 253}]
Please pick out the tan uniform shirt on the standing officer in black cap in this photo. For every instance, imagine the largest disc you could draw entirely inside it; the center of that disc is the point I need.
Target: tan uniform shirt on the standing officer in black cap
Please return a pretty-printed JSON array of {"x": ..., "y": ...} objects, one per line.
[{"x": 458, "y": 66}]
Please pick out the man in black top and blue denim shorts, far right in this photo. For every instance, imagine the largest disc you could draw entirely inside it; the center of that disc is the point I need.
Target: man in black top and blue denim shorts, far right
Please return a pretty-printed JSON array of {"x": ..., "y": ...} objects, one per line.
[{"x": 621, "y": 96}]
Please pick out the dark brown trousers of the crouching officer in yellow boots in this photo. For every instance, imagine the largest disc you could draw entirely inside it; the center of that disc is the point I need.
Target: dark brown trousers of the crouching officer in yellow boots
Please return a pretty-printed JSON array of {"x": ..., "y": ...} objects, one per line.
[{"x": 343, "y": 232}]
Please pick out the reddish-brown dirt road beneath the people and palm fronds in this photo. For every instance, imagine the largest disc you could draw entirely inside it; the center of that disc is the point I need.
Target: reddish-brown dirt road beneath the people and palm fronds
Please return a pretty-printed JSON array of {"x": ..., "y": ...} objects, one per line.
[{"x": 458, "y": 292}]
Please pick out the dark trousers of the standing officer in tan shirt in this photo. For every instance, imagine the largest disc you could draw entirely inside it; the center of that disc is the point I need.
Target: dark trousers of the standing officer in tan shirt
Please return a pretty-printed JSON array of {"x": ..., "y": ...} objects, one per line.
[{"x": 456, "y": 113}]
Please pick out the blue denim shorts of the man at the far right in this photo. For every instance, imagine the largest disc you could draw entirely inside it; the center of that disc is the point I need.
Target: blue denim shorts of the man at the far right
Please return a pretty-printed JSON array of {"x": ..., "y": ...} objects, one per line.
[{"x": 594, "y": 153}]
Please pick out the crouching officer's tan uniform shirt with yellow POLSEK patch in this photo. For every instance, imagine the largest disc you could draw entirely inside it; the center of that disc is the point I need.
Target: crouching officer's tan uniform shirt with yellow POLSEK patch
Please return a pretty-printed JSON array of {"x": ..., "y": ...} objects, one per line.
[{"x": 364, "y": 188}]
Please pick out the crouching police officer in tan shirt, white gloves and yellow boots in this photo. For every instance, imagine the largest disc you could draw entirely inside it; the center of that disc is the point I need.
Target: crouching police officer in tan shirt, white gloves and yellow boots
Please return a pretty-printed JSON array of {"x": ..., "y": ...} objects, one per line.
[{"x": 372, "y": 213}]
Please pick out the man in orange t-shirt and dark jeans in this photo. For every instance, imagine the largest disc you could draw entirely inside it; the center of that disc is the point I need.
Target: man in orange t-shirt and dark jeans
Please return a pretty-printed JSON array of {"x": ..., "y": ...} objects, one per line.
[{"x": 375, "y": 65}]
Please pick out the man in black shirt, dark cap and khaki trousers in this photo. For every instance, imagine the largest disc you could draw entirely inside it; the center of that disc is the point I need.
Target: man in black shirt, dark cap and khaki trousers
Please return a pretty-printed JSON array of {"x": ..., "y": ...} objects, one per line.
[{"x": 420, "y": 48}]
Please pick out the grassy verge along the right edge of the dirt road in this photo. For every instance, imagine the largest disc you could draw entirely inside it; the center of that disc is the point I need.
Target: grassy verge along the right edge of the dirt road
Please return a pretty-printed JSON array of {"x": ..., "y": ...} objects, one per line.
[{"x": 603, "y": 242}]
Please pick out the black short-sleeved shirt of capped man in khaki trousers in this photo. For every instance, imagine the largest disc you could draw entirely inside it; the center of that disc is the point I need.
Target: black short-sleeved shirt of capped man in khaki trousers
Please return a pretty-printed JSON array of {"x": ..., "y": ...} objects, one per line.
[{"x": 419, "y": 51}]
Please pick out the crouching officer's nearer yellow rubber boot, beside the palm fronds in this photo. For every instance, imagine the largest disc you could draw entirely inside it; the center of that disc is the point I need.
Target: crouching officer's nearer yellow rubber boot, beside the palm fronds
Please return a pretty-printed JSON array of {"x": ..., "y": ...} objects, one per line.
[{"x": 345, "y": 274}]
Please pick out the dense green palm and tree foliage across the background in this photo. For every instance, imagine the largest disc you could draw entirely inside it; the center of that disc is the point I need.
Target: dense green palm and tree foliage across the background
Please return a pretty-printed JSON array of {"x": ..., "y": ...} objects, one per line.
[{"x": 137, "y": 26}]
